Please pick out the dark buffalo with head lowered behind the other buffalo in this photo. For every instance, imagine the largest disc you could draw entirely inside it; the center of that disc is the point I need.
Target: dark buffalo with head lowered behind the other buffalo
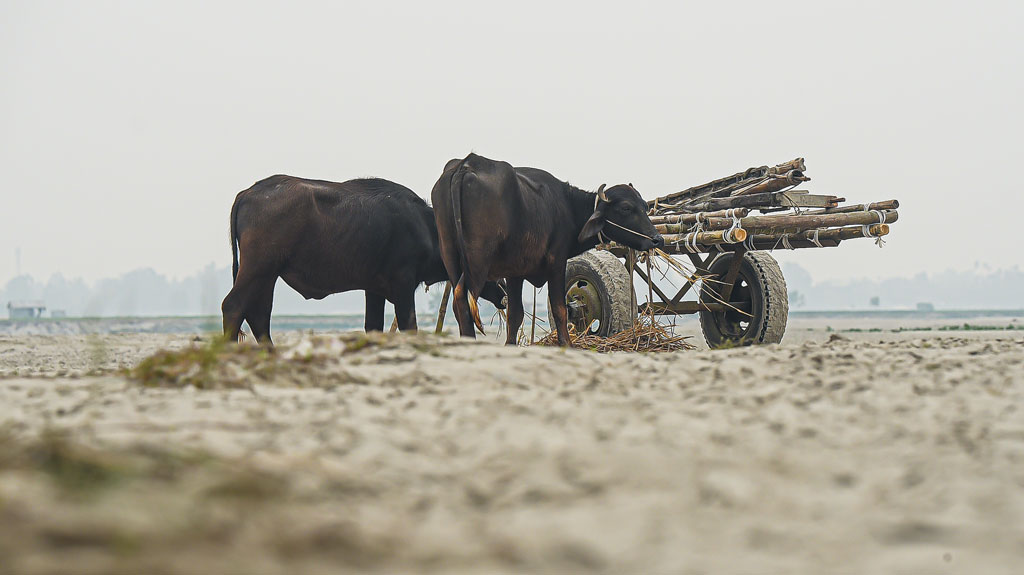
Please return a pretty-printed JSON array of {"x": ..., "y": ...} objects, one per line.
[{"x": 325, "y": 238}]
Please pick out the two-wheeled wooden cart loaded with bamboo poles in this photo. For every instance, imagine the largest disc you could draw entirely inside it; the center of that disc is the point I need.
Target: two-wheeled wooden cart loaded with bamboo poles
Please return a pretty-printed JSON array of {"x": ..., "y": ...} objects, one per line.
[{"x": 727, "y": 230}]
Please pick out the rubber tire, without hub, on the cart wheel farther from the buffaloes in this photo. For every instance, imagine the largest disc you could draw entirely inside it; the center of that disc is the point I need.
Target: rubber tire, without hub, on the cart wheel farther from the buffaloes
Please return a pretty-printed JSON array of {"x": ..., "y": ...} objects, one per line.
[{"x": 770, "y": 298}]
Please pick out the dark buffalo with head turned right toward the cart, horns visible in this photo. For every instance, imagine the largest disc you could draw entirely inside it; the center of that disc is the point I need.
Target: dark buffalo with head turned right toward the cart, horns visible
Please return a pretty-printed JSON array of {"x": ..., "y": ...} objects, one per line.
[{"x": 523, "y": 224}]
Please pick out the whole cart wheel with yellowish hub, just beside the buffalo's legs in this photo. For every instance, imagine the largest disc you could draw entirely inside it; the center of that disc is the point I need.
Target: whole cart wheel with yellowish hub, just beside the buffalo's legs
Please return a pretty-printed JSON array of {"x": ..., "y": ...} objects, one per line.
[{"x": 598, "y": 294}]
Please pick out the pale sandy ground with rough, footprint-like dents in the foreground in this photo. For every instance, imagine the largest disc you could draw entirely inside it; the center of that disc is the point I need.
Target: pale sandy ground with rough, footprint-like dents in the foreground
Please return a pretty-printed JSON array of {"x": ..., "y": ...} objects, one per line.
[{"x": 834, "y": 453}]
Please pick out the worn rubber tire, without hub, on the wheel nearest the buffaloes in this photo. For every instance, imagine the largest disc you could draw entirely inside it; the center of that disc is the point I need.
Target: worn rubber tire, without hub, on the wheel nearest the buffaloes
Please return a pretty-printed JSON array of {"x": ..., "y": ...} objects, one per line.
[{"x": 612, "y": 282}]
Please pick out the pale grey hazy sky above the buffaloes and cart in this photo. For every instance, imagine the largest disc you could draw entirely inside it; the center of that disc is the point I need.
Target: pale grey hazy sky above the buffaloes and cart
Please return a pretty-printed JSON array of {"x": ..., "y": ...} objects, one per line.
[{"x": 127, "y": 128}]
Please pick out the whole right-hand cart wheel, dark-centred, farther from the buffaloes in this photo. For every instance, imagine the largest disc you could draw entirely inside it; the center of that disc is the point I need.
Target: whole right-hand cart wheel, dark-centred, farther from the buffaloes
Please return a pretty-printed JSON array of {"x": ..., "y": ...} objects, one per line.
[{"x": 759, "y": 298}]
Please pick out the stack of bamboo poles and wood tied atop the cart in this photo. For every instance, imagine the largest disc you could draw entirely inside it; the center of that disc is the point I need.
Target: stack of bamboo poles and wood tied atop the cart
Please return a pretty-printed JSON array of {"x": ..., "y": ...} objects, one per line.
[{"x": 716, "y": 214}]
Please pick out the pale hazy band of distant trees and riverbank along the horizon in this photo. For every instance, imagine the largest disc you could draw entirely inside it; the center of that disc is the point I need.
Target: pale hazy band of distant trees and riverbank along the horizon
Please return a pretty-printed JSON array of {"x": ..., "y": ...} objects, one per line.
[{"x": 147, "y": 293}]
